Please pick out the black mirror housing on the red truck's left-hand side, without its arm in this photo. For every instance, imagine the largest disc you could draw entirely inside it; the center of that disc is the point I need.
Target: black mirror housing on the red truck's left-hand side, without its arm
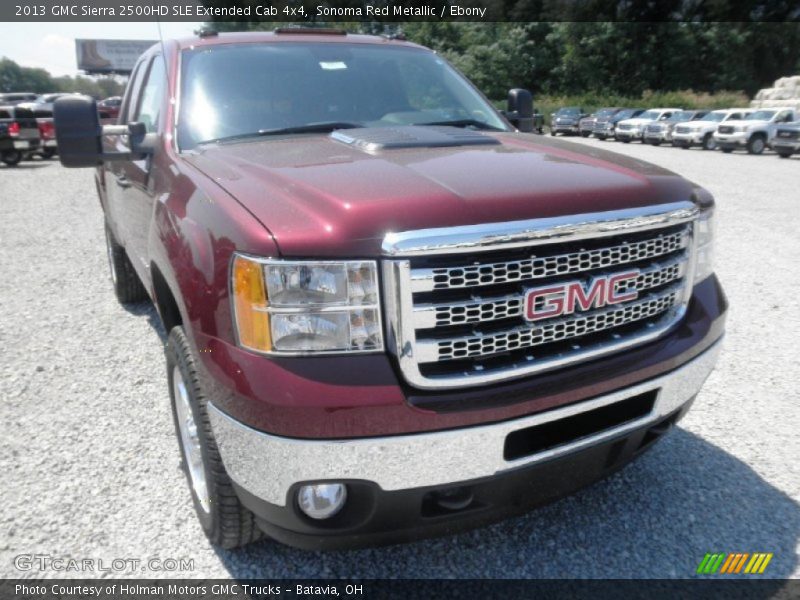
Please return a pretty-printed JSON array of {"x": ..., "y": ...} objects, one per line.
[{"x": 78, "y": 131}]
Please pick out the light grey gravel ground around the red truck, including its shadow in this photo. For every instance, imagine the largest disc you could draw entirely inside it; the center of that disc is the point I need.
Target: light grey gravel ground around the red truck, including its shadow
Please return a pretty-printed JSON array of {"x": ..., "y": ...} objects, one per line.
[{"x": 90, "y": 463}]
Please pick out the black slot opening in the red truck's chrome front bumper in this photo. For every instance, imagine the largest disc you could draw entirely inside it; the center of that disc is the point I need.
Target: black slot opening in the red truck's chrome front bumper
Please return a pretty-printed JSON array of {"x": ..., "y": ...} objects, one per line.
[{"x": 546, "y": 436}]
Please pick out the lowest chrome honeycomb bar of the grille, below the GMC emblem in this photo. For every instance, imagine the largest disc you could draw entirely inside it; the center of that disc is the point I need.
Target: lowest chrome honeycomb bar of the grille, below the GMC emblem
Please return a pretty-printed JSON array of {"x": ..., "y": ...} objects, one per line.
[{"x": 553, "y": 330}]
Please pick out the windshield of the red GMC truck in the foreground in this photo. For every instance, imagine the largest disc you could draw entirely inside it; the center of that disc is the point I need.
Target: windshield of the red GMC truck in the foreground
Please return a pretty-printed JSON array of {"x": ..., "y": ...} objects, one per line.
[{"x": 243, "y": 90}]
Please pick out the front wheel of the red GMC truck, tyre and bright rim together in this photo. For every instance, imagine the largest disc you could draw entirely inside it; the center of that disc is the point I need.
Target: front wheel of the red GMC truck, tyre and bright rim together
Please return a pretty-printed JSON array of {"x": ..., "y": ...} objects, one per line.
[{"x": 225, "y": 521}]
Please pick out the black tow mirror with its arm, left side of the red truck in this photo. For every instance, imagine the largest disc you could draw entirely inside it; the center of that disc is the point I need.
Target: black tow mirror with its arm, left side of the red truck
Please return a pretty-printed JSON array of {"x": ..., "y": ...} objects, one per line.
[{"x": 80, "y": 135}]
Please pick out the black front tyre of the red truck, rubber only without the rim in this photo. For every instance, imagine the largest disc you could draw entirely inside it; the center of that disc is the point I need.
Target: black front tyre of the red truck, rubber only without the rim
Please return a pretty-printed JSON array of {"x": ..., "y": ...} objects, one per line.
[{"x": 226, "y": 523}]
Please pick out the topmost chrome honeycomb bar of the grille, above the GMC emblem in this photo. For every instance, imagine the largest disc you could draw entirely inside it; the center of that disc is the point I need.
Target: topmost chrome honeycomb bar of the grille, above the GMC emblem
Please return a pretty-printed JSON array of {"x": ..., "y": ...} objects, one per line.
[{"x": 425, "y": 280}]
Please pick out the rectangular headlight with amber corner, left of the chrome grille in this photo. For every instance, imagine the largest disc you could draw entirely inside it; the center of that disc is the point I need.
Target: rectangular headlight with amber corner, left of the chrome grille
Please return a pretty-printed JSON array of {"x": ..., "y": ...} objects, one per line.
[{"x": 305, "y": 307}]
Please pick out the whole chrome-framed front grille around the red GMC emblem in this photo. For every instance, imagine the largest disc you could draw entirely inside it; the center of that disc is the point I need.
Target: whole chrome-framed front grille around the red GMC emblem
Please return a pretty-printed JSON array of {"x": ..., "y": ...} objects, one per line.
[{"x": 456, "y": 313}]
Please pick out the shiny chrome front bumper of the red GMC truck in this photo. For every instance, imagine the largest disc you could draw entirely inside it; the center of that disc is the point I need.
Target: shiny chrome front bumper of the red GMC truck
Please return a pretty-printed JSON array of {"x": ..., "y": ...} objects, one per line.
[{"x": 267, "y": 466}]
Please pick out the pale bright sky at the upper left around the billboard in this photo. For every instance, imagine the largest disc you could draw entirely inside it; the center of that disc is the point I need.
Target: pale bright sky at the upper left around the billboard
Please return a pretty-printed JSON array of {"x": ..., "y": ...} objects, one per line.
[{"x": 51, "y": 46}]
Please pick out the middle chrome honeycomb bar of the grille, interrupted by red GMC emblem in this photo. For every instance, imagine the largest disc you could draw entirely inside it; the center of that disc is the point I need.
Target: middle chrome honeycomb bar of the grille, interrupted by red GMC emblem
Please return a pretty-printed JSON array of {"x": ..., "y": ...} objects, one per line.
[{"x": 483, "y": 310}]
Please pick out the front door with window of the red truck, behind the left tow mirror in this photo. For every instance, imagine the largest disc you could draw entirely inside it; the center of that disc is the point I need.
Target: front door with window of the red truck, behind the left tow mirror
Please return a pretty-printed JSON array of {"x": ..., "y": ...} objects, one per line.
[{"x": 136, "y": 180}]
